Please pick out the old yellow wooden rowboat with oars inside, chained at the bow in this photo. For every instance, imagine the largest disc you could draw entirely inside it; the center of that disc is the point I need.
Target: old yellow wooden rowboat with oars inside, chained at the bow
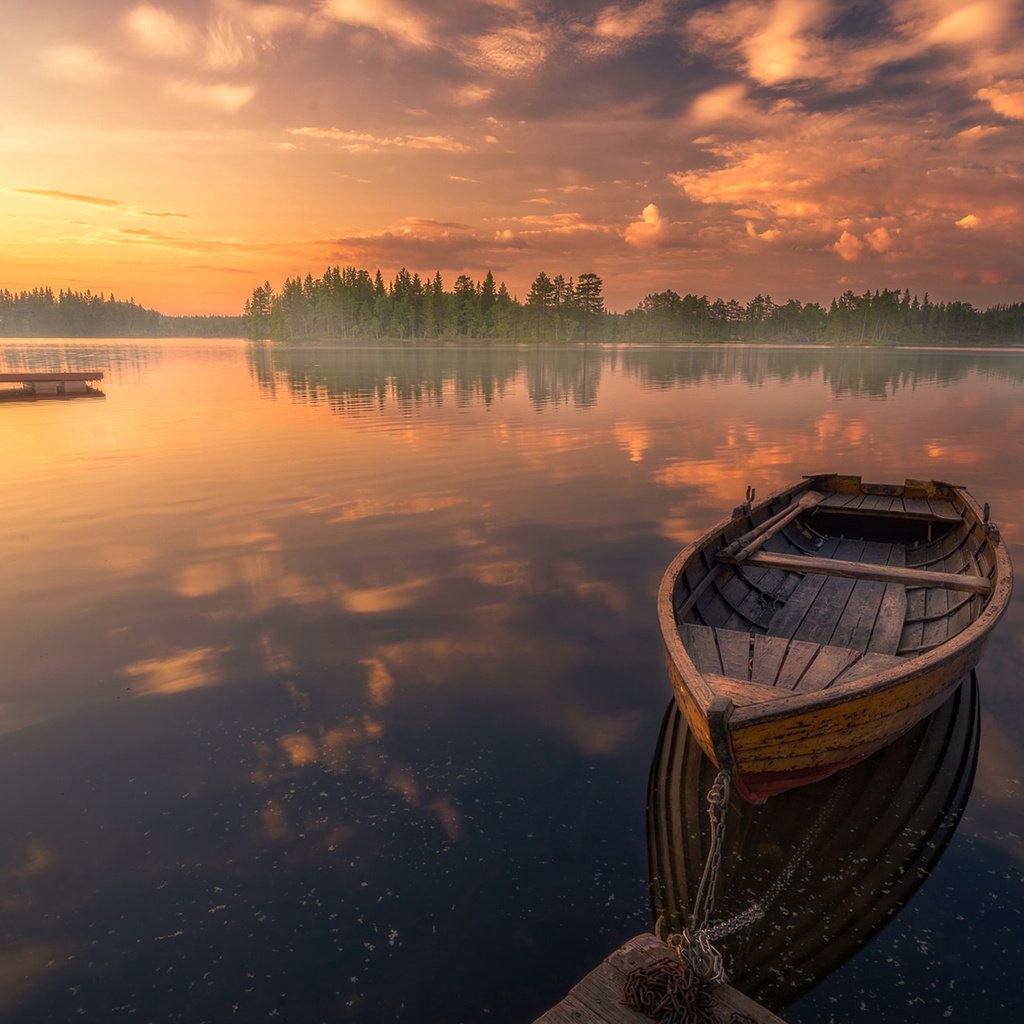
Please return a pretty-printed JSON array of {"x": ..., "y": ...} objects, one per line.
[{"x": 812, "y": 629}]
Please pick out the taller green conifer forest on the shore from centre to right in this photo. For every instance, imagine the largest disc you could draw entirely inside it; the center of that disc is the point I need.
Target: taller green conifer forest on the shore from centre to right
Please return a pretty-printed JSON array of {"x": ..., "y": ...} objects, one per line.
[{"x": 350, "y": 304}]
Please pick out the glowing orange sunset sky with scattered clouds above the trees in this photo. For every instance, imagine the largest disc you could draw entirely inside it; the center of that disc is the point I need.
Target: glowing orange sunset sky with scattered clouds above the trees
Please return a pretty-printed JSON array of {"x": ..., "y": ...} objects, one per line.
[{"x": 182, "y": 153}]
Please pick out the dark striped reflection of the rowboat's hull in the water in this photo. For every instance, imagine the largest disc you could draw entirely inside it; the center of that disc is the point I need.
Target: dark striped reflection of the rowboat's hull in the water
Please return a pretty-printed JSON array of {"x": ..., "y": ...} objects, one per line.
[{"x": 831, "y": 864}]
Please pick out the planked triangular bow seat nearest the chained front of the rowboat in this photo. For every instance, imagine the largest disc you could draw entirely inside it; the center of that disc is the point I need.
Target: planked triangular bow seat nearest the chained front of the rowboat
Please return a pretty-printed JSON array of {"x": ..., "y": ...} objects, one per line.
[{"x": 777, "y": 662}]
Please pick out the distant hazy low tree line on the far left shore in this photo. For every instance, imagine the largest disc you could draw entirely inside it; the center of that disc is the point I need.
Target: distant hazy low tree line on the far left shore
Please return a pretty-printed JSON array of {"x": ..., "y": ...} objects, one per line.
[{"x": 44, "y": 314}]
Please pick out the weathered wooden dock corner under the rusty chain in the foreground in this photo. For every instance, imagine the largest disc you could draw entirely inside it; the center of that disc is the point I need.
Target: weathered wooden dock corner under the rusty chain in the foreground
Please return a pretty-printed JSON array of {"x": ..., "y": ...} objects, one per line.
[{"x": 599, "y": 999}]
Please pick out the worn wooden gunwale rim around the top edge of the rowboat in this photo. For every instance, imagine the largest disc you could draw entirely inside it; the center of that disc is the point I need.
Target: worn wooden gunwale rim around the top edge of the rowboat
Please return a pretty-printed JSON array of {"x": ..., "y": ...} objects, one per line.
[{"x": 790, "y": 702}]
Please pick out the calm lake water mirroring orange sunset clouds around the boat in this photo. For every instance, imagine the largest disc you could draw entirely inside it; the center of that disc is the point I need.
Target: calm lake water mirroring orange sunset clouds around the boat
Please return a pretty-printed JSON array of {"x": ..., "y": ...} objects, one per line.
[{"x": 332, "y": 679}]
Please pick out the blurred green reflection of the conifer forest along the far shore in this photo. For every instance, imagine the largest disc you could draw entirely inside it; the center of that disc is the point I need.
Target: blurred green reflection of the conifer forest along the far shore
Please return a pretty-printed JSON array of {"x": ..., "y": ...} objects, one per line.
[{"x": 352, "y": 380}]
